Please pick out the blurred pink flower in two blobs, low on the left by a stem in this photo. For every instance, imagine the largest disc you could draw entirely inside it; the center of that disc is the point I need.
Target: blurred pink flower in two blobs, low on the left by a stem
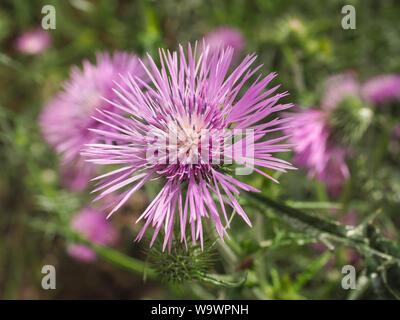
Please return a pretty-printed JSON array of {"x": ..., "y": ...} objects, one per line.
[{"x": 93, "y": 225}]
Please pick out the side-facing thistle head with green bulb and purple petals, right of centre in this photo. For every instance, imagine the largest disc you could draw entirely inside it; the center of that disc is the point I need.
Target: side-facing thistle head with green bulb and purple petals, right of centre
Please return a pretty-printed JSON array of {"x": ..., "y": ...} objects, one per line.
[{"x": 321, "y": 136}]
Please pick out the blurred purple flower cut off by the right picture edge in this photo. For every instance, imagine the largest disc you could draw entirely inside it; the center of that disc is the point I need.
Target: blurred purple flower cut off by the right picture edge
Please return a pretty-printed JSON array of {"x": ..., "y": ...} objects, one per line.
[{"x": 382, "y": 88}]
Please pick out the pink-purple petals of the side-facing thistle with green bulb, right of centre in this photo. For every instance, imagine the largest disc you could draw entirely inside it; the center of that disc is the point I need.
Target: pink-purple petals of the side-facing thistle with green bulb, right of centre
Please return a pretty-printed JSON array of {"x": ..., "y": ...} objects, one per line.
[{"x": 312, "y": 135}]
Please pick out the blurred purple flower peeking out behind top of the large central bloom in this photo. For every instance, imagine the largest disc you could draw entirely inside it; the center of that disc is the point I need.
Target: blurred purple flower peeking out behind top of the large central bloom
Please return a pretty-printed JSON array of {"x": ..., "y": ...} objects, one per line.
[{"x": 223, "y": 37}]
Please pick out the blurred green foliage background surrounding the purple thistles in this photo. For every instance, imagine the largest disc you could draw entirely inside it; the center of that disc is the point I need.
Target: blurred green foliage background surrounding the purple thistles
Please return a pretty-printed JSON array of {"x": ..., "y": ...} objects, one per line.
[{"x": 302, "y": 41}]
